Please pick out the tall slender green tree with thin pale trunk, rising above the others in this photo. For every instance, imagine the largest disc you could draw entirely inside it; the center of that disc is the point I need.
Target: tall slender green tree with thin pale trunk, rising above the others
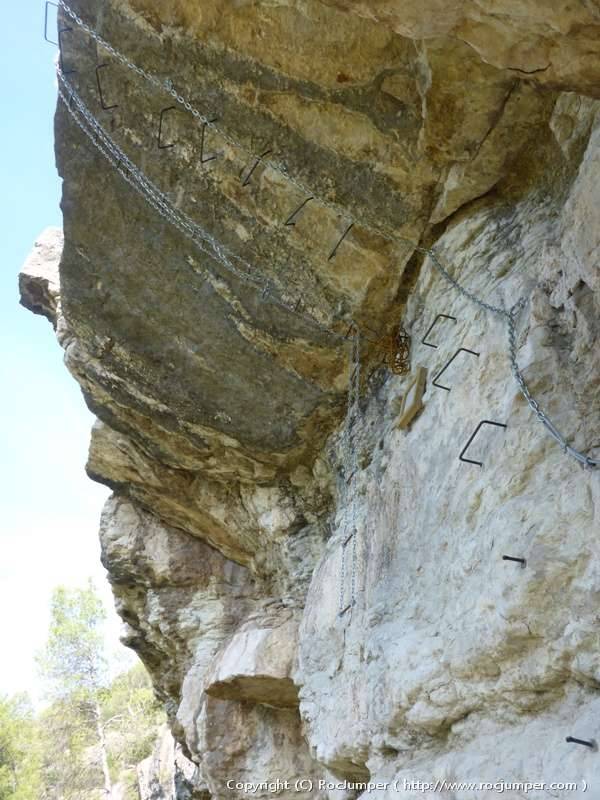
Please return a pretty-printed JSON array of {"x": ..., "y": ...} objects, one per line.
[{"x": 74, "y": 667}]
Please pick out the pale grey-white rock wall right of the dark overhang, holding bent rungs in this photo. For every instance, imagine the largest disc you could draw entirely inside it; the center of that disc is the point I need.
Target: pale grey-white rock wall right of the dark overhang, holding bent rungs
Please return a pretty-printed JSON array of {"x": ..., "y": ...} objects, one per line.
[{"x": 448, "y": 641}]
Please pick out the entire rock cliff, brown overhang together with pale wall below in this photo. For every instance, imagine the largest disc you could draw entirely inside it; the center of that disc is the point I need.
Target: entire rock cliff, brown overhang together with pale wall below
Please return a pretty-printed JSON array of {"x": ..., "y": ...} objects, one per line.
[{"x": 325, "y": 602}]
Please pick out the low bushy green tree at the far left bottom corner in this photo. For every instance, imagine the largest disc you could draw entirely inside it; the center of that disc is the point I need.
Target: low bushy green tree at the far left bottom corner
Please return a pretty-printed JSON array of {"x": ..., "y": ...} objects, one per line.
[{"x": 20, "y": 777}]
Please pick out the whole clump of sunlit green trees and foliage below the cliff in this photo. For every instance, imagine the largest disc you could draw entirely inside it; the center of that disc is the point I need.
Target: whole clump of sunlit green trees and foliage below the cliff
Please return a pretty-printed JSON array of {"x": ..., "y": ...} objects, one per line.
[{"x": 87, "y": 742}]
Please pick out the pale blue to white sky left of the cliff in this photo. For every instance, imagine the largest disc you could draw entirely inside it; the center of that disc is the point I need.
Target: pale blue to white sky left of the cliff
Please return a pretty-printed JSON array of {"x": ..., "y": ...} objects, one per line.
[{"x": 50, "y": 509}]
